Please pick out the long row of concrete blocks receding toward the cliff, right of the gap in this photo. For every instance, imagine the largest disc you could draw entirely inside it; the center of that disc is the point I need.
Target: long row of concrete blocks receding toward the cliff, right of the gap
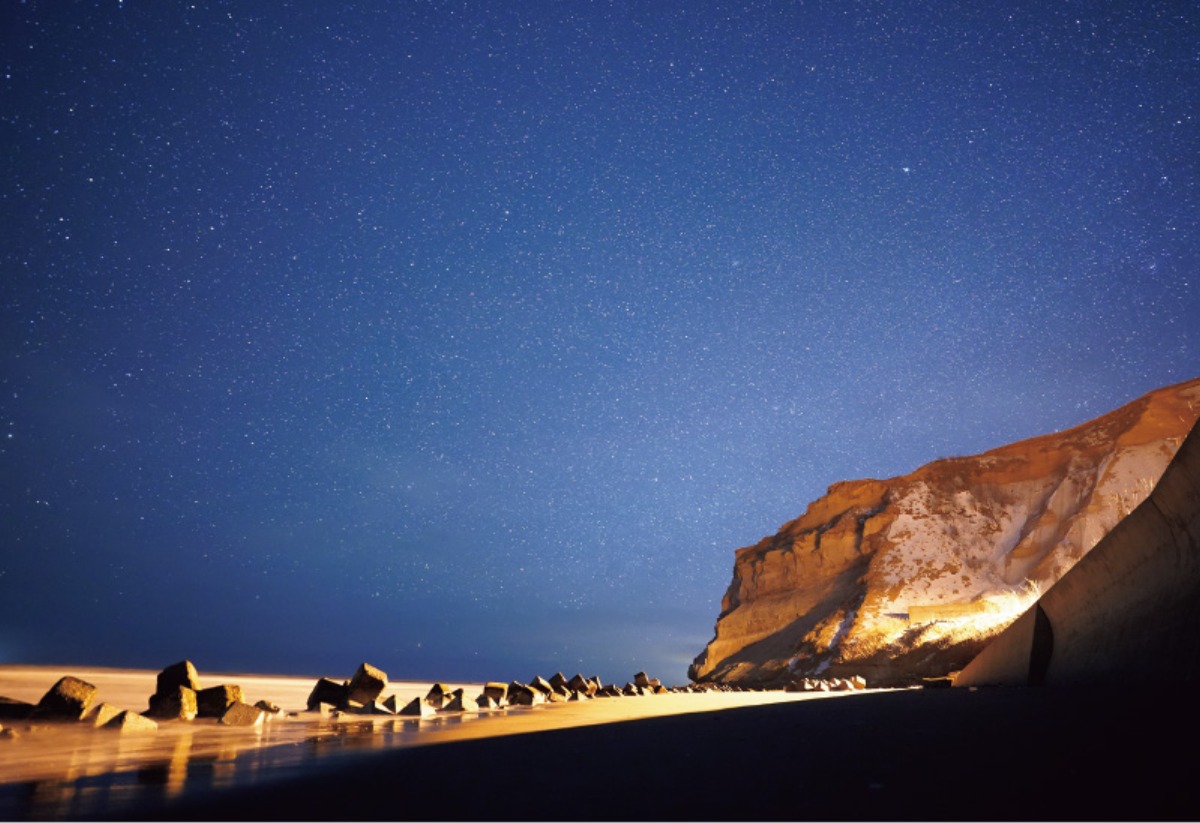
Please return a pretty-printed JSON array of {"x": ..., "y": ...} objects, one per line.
[{"x": 362, "y": 694}]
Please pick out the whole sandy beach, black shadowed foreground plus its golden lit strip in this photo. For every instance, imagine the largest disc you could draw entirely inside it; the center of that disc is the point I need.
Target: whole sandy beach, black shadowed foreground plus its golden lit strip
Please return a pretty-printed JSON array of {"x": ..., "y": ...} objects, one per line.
[{"x": 992, "y": 754}]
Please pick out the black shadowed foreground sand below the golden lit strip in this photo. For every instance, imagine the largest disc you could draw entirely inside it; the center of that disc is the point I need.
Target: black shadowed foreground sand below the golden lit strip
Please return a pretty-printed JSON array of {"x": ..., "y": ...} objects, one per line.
[{"x": 993, "y": 754}]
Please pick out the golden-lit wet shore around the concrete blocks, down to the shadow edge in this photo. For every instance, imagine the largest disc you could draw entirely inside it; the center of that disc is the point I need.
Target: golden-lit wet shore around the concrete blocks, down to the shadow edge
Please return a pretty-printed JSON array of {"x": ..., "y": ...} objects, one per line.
[{"x": 56, "y": 771}]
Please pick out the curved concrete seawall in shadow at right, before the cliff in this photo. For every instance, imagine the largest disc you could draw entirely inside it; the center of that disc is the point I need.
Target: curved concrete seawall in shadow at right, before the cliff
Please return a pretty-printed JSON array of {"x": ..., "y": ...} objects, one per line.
[{"x": 1129, "y": 612}]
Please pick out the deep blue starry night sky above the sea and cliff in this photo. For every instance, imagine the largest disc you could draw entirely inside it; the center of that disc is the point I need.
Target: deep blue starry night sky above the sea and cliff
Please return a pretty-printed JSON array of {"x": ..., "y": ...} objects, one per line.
[{"x": 472, "y": 339}]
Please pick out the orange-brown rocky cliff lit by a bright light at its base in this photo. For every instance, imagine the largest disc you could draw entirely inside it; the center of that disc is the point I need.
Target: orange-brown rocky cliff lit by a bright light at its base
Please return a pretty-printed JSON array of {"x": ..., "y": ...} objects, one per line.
[{"x": 910, "y": 578}]
